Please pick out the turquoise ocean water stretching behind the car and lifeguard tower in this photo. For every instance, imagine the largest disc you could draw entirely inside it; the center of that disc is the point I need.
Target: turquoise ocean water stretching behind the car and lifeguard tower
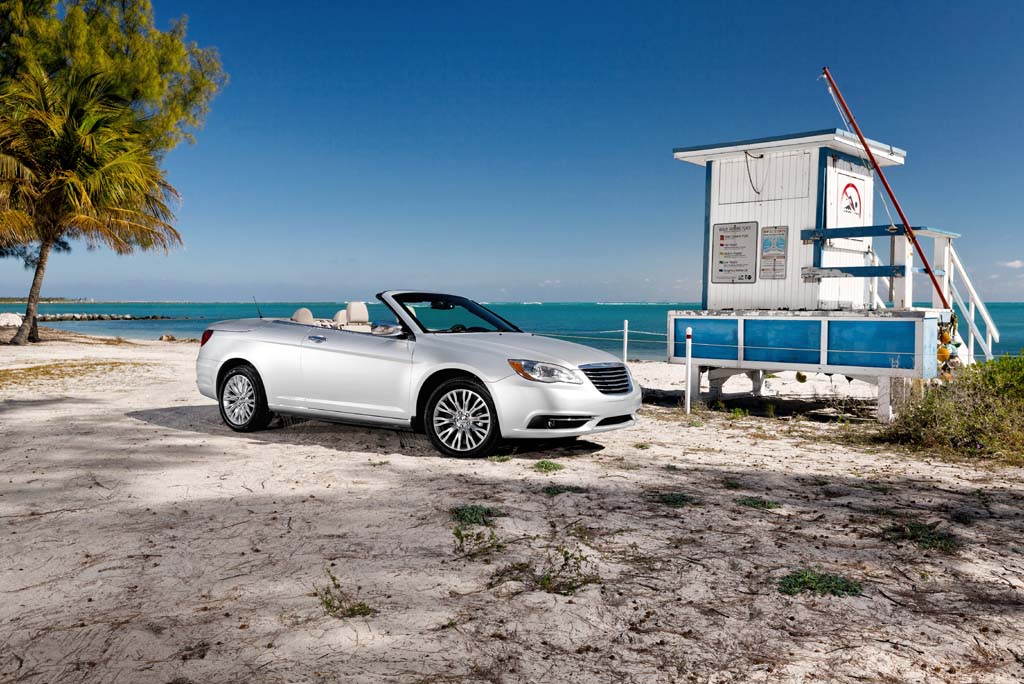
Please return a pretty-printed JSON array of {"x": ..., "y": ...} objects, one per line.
[{"x": 587, "y": 323}]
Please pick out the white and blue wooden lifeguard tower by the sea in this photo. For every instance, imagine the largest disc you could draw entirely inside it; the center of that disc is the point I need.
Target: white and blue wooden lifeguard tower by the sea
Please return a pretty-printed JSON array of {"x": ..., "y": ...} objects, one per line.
[{"x": 796, "y": 263}]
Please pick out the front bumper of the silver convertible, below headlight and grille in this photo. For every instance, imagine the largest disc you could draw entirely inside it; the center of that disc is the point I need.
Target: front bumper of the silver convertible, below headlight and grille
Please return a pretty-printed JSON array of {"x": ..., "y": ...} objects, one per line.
[{"x": 520, "y": 402}]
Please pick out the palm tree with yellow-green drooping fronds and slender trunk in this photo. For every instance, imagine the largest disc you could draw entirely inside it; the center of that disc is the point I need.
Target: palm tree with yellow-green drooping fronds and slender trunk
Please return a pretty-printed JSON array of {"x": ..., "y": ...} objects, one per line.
[{"x": 75, "y": 165}]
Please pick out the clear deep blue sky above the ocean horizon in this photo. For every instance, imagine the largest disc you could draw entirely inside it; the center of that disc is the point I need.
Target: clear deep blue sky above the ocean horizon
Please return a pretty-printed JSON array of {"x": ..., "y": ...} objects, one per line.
[{"x": 523, "y": 151}]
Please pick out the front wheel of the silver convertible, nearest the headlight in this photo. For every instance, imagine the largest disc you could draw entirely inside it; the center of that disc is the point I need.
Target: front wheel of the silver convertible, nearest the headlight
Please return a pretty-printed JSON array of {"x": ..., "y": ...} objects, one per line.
[{"x": 461, "y": 420}]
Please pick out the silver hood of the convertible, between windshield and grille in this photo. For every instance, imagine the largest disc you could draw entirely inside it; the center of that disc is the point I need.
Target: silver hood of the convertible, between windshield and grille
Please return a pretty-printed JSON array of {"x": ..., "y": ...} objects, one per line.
[{"x": 528, "y": 347}]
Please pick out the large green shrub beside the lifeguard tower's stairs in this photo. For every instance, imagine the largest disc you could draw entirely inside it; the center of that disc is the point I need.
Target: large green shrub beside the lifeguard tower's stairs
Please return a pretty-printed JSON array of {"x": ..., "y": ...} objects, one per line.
[{"x": 979, "y": 412}]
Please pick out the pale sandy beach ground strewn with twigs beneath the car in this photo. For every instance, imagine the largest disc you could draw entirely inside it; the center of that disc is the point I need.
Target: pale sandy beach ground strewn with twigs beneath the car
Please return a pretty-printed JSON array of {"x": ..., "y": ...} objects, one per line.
[{"x": 145, "y": 542}]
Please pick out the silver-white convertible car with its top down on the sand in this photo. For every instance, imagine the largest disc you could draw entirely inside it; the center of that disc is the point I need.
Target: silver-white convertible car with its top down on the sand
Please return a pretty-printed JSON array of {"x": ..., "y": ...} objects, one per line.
[{"x": 444, "y": 365}]
